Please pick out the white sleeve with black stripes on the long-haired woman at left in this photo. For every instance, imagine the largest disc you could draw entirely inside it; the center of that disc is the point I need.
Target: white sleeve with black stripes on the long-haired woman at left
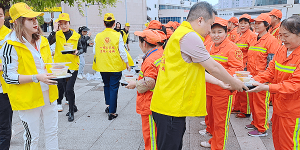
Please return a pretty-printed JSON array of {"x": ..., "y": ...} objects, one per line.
[{"x": 10, "y": 64}]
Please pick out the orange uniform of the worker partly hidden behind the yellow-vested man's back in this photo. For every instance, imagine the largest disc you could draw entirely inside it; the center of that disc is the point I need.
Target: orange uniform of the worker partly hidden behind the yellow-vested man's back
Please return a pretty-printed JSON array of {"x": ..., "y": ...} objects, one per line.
[{"x": 150, "y": 69}]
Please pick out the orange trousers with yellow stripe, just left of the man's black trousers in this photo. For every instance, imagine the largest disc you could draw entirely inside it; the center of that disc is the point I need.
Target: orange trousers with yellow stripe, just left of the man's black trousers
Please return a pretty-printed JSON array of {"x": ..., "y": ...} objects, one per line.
[{"x": 149, "y": 132}]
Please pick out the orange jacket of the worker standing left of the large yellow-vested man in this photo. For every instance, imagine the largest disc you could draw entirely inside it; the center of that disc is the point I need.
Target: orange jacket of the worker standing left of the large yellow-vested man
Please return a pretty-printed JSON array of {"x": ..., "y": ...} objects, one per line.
[{"x": 150, "y": 69}]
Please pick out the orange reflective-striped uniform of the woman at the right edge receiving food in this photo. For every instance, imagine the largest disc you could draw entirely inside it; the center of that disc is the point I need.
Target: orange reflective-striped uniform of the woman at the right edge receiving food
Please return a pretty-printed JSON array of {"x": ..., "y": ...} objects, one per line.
[{"x": 284, "y": 73}]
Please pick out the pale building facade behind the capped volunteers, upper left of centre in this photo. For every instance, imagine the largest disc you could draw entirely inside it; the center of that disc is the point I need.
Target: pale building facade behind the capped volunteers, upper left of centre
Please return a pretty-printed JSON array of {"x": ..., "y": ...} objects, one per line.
[{"x": 134, "y": 11}]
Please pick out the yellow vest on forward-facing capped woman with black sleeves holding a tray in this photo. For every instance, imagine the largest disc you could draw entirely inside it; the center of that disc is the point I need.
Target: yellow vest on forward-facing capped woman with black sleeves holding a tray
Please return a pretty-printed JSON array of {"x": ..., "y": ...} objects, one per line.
[{"x": 59, "y": 57}]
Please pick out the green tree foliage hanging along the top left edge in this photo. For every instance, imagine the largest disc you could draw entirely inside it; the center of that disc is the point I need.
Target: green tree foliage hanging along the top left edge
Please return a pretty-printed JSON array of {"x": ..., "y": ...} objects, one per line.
[{"x": 40, "y": 5}]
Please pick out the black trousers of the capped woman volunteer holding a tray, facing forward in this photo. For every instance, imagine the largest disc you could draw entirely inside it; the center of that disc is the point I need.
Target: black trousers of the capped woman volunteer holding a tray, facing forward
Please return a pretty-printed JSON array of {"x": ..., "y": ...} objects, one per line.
[{"x": 66, "y": 88}]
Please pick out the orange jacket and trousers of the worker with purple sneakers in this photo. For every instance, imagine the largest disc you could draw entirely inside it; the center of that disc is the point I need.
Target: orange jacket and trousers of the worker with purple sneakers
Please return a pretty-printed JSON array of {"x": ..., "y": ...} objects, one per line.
[{"x": 257, "y": 62}]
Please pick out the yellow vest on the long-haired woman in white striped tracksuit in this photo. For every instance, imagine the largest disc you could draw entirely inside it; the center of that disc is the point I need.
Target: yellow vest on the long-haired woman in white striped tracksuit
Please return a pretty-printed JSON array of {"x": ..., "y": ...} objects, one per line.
[{"x": 29, "y": 95}]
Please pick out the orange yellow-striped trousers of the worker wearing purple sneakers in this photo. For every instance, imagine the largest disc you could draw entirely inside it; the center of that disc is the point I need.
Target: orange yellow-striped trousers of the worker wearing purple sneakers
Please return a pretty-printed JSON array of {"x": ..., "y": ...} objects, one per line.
[{"x": 259, "y": 104}]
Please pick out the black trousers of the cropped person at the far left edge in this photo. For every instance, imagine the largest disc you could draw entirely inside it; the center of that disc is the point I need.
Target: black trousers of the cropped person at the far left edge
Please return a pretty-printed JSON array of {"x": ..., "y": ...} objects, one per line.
[{"x": 5, "y": 122}]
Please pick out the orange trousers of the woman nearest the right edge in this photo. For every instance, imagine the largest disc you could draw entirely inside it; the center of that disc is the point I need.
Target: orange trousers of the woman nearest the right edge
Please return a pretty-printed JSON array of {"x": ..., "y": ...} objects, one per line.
[{"x": 285, "y": 132}]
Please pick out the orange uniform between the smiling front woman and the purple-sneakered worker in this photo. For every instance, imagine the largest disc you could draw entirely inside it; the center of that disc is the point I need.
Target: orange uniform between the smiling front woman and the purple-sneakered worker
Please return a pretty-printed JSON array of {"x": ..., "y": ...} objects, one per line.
[{"x": 242, "y": 102}]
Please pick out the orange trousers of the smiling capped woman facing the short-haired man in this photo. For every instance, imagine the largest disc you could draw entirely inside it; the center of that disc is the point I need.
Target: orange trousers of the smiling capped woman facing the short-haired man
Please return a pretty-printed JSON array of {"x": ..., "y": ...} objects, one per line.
[{"x": 219, "y": 116}]
